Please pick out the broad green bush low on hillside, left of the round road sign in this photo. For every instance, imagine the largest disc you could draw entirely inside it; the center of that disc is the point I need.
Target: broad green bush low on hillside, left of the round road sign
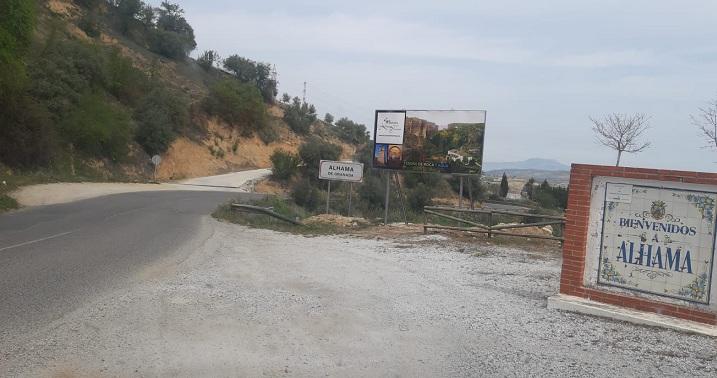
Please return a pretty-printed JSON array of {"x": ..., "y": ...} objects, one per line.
[{"x": 98, "y": 128}]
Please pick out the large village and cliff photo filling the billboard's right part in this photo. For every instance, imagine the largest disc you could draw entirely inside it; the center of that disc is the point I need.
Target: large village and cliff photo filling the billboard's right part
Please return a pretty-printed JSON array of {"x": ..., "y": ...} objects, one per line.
[{"x": 444, "y": 141}]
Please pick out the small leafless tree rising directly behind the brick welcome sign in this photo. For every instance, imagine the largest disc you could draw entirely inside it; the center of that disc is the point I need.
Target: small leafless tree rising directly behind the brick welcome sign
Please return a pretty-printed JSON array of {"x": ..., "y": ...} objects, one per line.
[{"x": 621, "y": 132}]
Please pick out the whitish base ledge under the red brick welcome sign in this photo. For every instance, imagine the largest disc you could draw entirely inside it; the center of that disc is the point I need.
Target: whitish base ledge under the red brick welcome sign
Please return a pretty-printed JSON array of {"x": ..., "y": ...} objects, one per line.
[{"x": 585, "y": 306}]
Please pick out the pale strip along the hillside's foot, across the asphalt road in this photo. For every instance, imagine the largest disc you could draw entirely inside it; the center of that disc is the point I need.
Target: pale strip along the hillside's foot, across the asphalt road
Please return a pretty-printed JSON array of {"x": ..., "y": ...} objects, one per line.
[{"x": 51, "y": 194}]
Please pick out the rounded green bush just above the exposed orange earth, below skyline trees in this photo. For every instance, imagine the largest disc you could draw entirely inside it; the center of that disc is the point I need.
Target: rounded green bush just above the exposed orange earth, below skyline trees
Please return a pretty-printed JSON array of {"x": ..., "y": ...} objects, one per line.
[{"x": 237, "y": 104}]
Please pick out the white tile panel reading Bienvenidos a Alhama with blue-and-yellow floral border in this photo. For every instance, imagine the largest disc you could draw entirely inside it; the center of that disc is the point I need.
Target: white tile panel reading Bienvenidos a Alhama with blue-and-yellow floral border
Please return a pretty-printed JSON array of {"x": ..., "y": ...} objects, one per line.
[{"x": 658, "y": 240}]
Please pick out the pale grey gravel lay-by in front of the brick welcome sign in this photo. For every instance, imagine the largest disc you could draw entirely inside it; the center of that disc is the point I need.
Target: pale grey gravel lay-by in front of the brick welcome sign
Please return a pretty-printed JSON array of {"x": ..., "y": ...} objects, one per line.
[{"x": 247, "y": 302}]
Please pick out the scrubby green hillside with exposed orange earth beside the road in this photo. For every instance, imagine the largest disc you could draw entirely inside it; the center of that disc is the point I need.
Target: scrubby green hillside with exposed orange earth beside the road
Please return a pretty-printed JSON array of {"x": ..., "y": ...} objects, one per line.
[{"x": 91, "y": 89}]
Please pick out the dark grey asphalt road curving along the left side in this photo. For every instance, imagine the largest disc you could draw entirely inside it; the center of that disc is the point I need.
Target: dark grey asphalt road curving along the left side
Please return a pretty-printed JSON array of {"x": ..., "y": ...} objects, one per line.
[{"x": 55, "y": 258}]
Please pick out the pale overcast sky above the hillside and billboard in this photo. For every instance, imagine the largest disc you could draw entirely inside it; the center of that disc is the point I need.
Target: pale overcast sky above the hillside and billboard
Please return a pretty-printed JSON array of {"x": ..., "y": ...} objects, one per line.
[{"x": 539, "y": 68}]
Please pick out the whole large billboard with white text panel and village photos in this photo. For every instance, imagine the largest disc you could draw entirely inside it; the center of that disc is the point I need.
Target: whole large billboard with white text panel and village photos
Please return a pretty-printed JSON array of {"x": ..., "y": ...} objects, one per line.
[{"x": 430, "y": 141}]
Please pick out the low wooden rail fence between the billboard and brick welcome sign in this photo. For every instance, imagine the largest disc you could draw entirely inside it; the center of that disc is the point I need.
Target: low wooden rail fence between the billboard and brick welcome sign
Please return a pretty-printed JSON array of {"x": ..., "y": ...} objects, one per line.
[{"x": 490, "y": 229}]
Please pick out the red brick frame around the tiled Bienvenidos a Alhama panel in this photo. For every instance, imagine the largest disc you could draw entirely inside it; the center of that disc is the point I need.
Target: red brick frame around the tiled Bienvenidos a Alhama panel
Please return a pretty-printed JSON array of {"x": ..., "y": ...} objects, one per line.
[{"x": 576, "y": 233}]
